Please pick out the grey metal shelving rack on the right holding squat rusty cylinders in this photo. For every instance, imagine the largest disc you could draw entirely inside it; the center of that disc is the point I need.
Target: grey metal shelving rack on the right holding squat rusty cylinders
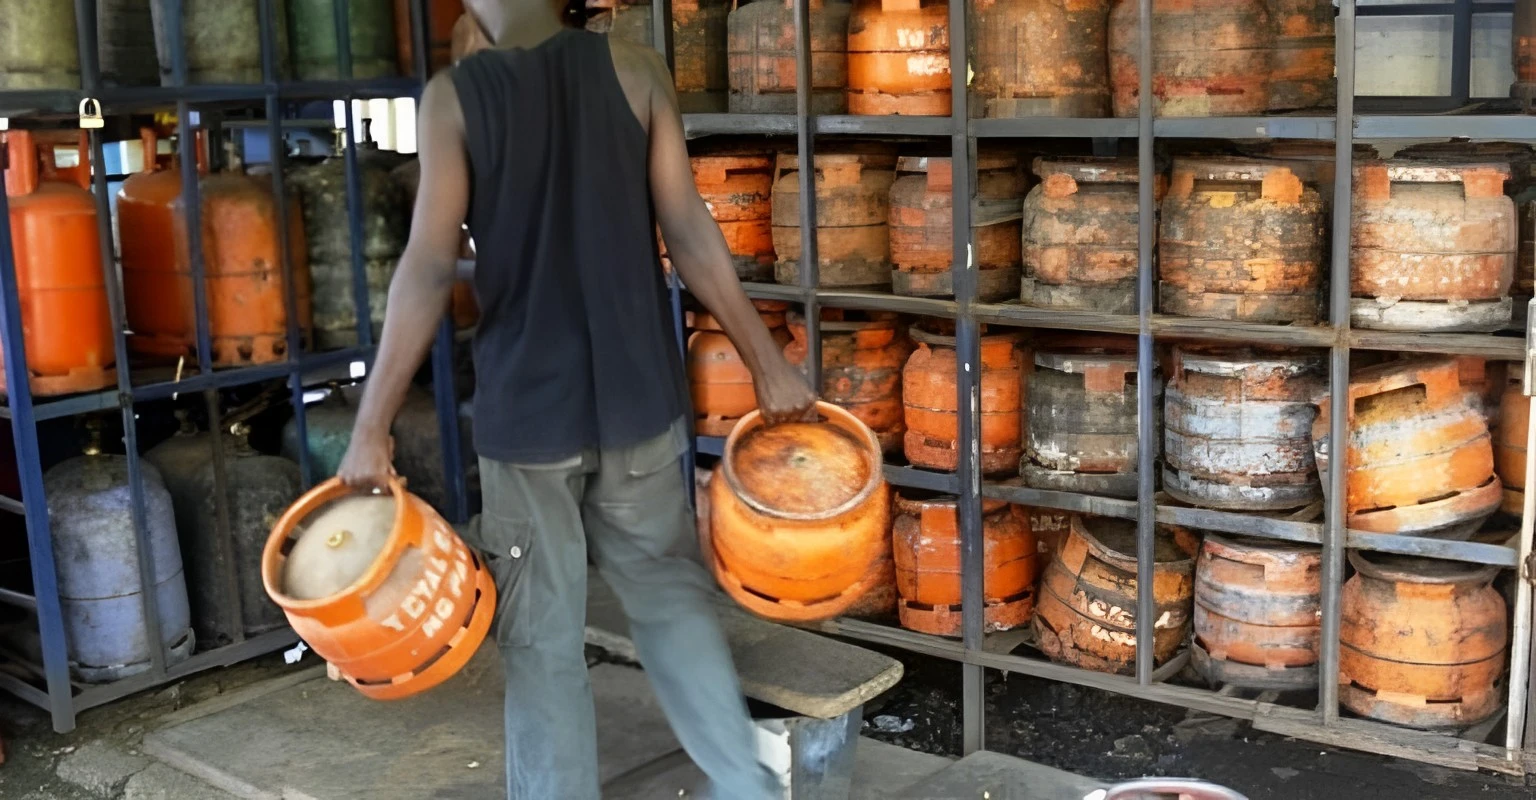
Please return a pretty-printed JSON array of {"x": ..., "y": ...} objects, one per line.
[{"x": 976, "y": 652}]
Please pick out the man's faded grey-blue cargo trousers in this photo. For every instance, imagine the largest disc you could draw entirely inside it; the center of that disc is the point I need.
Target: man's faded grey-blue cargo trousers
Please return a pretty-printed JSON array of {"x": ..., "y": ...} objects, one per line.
[{"x": 631, "y": 511}]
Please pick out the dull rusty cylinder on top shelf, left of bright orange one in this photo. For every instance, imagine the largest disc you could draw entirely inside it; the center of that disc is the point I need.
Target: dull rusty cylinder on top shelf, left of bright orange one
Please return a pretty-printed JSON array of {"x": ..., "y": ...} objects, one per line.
[{"x": 763, "y": 58}]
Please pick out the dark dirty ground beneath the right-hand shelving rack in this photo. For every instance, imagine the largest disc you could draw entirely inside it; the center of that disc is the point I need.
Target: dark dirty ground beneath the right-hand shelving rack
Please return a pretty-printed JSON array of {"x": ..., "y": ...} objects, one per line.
[{"x": 1110, "y": 736}]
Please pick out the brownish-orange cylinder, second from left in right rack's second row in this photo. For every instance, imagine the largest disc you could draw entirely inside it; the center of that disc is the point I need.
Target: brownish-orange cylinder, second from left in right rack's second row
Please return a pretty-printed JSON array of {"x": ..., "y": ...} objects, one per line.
[{"x": 853, "y": 202}]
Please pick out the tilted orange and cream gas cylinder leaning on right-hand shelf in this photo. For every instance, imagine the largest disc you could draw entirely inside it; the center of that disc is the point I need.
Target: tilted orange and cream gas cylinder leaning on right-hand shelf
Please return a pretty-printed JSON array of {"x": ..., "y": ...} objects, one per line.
[{"x": 1420, "y": 455}]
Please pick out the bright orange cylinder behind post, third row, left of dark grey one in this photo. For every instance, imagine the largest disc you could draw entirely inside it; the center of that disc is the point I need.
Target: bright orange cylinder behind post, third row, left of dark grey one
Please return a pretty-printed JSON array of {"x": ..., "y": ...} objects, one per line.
[{"x": 932, "y": 400}]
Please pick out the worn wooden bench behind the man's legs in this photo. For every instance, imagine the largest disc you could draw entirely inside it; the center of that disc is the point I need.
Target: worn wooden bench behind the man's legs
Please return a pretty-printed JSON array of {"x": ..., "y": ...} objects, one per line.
[{"x": 821, "y": 684}]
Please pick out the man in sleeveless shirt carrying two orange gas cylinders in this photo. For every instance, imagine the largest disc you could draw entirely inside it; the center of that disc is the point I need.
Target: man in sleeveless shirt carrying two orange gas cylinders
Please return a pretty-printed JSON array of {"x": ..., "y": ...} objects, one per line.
[{"x": 564, "y": 150}]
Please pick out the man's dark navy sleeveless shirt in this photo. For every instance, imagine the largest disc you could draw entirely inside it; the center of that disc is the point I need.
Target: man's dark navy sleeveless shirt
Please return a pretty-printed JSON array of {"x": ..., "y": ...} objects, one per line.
[{"x": 575, "y": 348}]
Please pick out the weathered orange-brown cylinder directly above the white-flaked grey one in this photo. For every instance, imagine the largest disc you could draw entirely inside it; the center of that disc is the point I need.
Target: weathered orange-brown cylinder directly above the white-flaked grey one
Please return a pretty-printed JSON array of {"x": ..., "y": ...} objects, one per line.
[{"x": 1240, "y": 239}]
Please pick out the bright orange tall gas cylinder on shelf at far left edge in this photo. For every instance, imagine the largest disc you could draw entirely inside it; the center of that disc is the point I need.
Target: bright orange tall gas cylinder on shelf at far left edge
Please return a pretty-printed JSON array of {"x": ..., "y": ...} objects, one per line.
[{"x": 65, "y": 320}]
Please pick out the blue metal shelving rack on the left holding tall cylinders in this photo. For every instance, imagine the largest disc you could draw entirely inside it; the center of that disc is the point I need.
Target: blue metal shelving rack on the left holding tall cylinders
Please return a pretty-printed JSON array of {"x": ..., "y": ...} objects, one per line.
[{"x": 58, "y": 693}]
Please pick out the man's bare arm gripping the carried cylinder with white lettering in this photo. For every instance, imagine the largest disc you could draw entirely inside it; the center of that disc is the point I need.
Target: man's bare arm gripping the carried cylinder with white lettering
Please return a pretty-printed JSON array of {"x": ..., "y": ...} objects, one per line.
[{"x": 423, "y": 285}]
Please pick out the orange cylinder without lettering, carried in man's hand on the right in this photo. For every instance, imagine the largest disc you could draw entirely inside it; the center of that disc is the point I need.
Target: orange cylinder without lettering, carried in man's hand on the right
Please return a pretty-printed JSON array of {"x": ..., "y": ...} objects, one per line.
[{"x": 799, "y": 517}]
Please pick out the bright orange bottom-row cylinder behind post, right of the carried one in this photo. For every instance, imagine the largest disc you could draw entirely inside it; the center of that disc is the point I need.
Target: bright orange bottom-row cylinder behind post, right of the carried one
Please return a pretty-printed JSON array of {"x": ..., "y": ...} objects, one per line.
[{"x": 927, "y": 544}]
